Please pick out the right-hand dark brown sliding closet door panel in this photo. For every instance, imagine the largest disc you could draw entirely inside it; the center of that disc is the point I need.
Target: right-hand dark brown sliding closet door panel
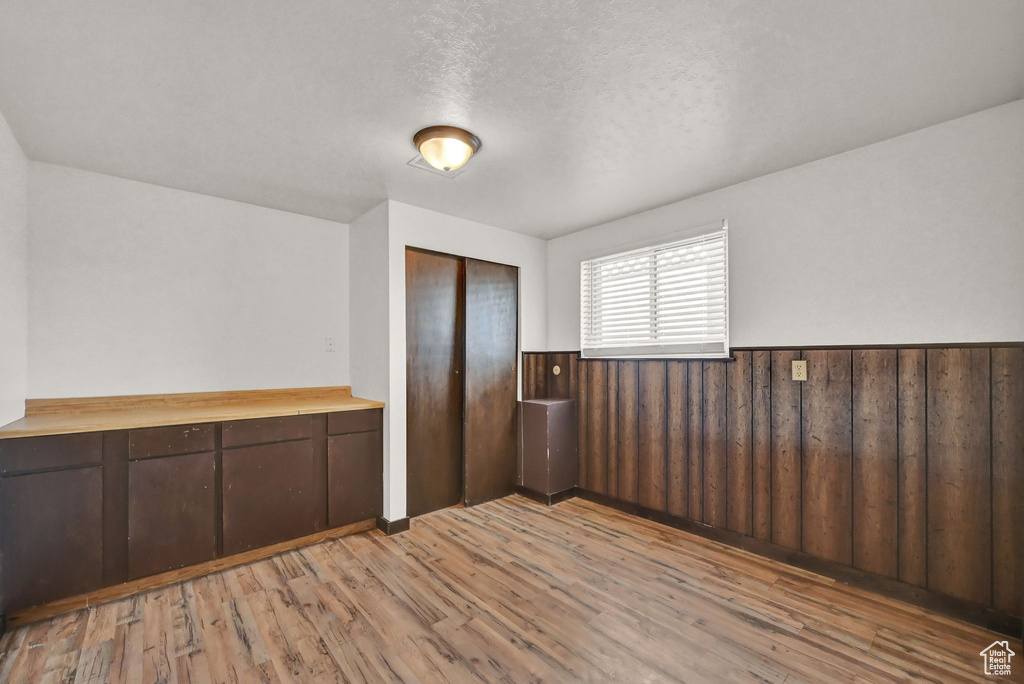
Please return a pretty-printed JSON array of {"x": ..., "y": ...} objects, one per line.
[{"x": 492, "y": 353}]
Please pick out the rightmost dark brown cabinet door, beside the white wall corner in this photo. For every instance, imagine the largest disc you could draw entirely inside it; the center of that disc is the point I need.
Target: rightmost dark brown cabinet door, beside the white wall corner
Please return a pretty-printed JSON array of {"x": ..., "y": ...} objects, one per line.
[{"x": 355, "y": 478}]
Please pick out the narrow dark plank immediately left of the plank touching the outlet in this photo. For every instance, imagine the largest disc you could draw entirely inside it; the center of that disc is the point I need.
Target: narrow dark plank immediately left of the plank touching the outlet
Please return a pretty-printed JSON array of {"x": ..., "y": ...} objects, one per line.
[{"x": 761, "y": 447}]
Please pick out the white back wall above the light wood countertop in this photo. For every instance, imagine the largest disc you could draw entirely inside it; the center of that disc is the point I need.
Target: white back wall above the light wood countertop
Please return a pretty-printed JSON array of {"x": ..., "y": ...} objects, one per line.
[{"x": 141, "y": 289}]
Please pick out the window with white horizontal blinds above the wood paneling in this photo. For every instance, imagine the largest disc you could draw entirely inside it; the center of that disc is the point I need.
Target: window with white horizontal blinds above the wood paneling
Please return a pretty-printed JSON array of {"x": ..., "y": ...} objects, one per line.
[{"x": 665, "y": 301}]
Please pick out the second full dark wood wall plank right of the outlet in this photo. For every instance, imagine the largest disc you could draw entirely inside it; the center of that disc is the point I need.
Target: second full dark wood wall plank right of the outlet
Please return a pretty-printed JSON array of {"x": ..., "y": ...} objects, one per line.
[{"x": 876, "y": 462}]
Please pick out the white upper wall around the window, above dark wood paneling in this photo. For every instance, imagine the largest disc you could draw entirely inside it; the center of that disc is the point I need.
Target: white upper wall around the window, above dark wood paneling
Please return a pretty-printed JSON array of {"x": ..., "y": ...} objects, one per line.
[{"x": 915, "y": 240}]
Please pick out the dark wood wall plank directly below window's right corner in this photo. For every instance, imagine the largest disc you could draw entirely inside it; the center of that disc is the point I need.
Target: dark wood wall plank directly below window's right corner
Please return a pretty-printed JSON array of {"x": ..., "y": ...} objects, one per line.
[{"x": 716, "y": 422}]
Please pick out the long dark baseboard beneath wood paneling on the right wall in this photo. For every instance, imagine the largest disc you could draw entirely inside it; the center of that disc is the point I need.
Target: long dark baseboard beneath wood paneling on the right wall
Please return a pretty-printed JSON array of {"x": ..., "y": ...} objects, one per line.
[{"x": 970, "y": 613}]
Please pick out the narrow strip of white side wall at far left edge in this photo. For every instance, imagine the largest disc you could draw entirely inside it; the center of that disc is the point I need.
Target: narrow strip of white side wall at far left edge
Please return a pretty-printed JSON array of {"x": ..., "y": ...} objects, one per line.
[{"x": 14, "y": 276}]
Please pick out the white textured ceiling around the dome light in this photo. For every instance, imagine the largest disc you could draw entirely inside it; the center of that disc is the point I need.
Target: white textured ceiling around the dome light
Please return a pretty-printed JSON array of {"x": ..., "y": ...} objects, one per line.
[{"x": 588, "y": 111}]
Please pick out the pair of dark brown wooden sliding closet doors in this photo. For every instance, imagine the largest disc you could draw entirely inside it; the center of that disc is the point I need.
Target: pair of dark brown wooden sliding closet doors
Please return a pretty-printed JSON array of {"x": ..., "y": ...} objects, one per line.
[{"x": 462, "y": 346}]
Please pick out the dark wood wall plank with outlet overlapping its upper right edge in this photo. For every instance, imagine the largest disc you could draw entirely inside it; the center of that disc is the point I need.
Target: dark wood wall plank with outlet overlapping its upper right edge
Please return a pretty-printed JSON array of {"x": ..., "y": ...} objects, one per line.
[{"x": 787, "y": 483}]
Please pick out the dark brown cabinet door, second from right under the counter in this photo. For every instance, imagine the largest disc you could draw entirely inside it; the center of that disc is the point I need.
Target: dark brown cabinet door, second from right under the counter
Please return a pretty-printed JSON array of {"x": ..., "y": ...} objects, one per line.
[{"x": 269, "y": 495}]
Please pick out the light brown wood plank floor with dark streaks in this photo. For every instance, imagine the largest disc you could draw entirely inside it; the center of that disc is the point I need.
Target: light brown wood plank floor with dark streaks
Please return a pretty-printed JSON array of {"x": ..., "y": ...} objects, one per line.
[{"x": 509, "y": 591}]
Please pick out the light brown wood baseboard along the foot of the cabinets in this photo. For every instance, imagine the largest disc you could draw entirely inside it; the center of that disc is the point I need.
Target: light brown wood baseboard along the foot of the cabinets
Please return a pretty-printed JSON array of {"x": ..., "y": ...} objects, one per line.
[{"x": 151, "y": 583}]
